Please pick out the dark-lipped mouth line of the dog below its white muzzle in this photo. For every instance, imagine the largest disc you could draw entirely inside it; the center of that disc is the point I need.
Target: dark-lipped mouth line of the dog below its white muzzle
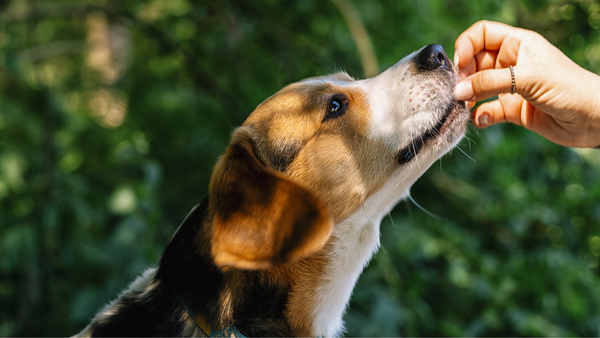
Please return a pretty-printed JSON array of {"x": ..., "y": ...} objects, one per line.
[{"x": 412, "y": 150}]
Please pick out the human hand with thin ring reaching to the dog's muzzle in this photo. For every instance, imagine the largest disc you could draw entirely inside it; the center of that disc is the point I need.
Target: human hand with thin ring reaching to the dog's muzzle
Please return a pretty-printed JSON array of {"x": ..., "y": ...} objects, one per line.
[{"x": 554, "y": 96}]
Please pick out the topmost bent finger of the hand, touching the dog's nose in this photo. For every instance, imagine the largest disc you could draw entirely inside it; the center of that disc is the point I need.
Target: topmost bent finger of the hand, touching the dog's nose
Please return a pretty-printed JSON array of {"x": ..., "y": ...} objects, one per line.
[{"x": 482, "y": 35}]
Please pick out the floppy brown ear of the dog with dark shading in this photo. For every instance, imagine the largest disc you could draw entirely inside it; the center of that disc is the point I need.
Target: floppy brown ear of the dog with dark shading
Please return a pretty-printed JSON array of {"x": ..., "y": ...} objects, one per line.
[{"x": 260, "y": 218}]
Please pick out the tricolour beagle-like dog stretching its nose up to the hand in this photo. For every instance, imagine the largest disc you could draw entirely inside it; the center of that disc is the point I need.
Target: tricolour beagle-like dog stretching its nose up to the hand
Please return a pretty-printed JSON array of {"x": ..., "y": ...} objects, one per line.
[{"x": 295, "y": 205}]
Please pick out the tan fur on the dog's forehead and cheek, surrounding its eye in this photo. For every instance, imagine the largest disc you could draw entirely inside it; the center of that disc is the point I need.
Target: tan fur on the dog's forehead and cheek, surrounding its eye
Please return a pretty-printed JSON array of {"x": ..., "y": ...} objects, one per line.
[{"x": 337, "y": 148}]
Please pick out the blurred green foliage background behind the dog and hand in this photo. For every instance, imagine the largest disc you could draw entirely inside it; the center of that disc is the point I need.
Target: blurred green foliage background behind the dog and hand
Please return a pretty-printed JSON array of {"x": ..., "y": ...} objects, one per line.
[{"x": 113, "y": 113}]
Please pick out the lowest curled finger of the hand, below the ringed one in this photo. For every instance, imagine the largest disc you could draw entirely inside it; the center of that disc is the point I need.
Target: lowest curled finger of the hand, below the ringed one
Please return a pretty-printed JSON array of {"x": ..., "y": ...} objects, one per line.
[{"x": 508, "y": 108}]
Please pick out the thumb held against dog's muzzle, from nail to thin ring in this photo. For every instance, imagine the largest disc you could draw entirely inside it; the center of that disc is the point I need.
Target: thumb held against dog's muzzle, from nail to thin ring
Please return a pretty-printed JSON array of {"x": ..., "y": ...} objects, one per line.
[{"x": 484, "y": 84}]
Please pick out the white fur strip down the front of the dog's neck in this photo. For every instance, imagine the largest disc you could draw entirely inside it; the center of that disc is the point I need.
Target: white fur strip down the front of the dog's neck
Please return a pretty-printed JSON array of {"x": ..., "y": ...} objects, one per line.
[{"x": 352, "y": 244}]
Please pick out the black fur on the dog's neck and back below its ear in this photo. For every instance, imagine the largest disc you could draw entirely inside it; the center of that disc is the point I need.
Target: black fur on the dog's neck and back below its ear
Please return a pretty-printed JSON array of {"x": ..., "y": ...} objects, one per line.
[{"x": 188, "y": 275}]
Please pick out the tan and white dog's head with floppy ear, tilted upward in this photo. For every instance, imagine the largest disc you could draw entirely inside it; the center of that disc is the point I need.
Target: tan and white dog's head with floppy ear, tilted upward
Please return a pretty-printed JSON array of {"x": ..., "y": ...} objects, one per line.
[{"x": 310, "y": 155}]
